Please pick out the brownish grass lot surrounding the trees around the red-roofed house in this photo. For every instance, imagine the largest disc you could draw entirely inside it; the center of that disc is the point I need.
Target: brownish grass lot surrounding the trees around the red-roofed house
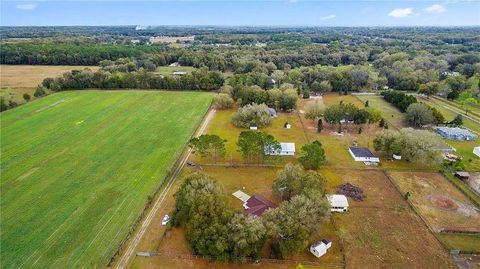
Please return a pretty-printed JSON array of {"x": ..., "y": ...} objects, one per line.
[{"x": 173, "y": 248}]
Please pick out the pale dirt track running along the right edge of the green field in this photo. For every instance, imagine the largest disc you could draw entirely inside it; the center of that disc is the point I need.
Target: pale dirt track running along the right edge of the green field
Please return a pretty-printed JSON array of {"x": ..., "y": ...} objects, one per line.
[{"x": 133, "y": 243}]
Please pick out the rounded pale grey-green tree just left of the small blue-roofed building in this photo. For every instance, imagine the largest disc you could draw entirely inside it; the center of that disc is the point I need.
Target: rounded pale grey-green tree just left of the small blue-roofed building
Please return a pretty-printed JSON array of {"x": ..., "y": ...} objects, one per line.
[{"x": 252, "y": 115}]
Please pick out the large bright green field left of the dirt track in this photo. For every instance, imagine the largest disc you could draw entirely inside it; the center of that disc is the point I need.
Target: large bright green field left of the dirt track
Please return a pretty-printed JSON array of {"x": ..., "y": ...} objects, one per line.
[{"x": 77, "y": 168}]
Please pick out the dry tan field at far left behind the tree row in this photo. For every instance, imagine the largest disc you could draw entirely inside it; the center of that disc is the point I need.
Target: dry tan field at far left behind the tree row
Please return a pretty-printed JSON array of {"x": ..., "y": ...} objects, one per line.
[{"x": 15, "y": 80}]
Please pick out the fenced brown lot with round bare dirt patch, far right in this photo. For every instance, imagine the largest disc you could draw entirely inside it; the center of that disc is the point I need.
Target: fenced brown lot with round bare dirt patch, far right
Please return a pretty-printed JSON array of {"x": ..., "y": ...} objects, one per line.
[{"x": 438, "y": 201}]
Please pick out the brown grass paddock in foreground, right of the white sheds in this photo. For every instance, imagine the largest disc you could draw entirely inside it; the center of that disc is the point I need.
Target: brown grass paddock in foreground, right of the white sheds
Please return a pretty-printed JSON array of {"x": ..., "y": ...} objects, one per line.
[{"x": 382, "y": 231}]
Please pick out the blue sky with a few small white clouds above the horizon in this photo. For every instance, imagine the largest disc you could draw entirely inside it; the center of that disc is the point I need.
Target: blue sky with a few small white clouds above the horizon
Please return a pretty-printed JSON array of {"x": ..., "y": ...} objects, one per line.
[{"x": 242, "y": 12}]
